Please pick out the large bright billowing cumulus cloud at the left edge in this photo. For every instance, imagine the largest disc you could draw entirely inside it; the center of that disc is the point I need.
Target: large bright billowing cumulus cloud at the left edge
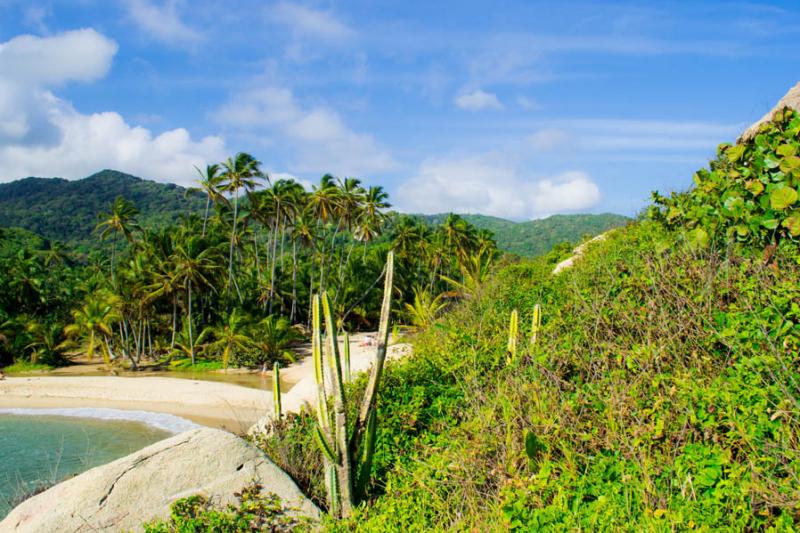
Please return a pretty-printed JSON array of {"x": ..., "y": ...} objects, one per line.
[{"x": 42, "y": 134}]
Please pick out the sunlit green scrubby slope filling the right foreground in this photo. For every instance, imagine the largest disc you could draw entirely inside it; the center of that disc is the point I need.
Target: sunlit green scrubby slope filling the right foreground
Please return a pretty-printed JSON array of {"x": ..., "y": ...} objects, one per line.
[{"x": 660, "y": 394}]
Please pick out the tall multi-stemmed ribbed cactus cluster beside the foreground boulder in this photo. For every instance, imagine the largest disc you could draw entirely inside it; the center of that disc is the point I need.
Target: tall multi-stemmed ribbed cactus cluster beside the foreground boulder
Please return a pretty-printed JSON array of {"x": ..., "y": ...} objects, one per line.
[{"x": 348, "y": 458}]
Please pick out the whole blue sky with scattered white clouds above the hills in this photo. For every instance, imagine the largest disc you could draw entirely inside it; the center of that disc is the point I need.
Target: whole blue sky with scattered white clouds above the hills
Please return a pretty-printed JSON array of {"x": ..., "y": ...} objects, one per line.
[{"x": 513, "y": 109}]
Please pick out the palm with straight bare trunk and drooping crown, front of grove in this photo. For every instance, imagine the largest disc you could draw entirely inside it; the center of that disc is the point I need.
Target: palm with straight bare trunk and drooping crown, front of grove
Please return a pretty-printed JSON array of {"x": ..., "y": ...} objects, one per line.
[{"x": 194, "y": 263}]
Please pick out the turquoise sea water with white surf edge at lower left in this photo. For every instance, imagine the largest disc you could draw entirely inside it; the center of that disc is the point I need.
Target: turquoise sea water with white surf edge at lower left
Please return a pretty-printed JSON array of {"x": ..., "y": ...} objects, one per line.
[{"x": 42, "y": 449}]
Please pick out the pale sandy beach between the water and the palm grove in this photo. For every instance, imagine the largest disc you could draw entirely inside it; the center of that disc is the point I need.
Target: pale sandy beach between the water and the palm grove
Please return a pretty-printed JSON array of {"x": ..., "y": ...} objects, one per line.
[{"x": 209, "y": 403}]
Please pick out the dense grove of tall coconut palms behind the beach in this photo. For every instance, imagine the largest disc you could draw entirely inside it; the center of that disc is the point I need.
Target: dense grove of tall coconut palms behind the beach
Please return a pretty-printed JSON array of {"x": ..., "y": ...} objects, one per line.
[{"x": 230, "y": 285}]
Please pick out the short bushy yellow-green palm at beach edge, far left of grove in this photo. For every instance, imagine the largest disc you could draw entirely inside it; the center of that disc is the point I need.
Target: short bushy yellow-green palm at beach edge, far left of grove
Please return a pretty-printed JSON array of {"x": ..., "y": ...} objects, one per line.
[{"x": 92, "y": 324}]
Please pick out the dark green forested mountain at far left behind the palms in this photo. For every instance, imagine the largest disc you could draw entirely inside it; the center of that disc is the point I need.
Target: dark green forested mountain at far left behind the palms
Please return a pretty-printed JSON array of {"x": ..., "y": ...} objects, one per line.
[{"x": 67, "y": 211}]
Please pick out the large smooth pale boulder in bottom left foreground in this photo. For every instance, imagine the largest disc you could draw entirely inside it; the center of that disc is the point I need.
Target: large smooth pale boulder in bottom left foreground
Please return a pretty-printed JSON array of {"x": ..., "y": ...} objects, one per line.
[{"x": 121, "y": 495}]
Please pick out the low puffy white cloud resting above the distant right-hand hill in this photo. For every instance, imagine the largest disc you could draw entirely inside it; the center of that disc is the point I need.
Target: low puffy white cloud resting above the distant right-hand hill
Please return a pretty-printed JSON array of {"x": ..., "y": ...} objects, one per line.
[{"x": 485, "y": 184}]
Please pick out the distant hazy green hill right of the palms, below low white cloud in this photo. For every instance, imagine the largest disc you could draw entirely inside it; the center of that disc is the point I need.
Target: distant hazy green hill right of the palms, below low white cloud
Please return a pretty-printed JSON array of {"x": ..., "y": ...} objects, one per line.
[{"x": 537, "y": 237}]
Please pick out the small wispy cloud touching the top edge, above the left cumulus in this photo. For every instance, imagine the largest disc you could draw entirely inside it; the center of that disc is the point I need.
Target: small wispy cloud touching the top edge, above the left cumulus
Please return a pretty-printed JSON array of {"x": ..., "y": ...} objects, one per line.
[{"x": 163, "y": 22}]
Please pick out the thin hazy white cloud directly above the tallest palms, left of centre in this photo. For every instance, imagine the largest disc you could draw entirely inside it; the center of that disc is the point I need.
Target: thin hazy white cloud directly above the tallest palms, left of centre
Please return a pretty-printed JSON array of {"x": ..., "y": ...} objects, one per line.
[{"x": 318, "y": 137}]
